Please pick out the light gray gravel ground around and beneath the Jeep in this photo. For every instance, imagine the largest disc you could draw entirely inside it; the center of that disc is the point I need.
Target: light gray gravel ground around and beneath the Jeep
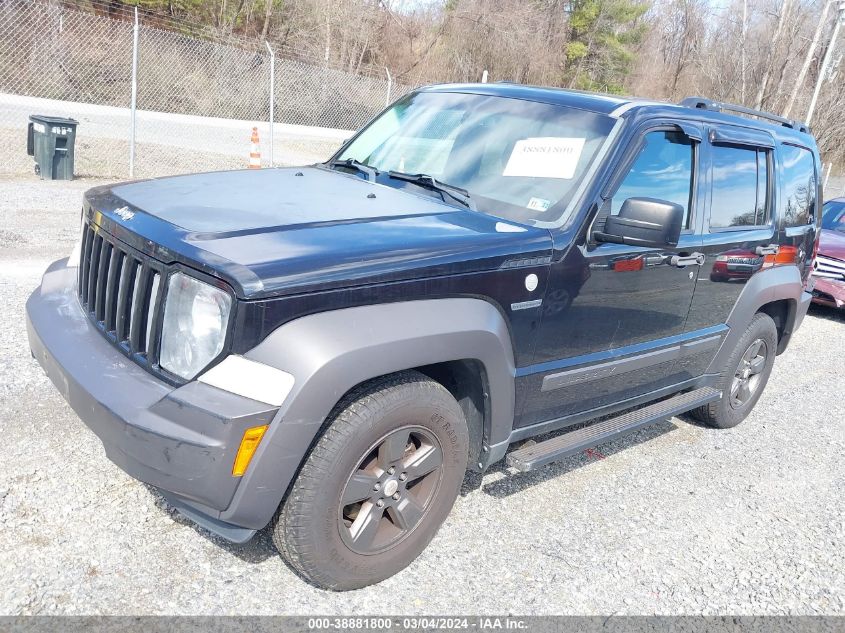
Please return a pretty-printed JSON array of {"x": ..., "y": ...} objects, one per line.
[{"x": 684, "y": 520}]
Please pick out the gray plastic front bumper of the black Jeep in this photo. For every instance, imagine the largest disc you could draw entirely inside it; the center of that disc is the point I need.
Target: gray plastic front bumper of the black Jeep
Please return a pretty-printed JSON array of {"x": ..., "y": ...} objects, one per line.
[{"x": 180, "y": 440}]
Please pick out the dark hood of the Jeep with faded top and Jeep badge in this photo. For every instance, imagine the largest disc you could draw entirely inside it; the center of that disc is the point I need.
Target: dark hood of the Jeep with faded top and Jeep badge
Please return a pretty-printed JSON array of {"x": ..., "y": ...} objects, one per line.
[{"x": 285, "y": 231}]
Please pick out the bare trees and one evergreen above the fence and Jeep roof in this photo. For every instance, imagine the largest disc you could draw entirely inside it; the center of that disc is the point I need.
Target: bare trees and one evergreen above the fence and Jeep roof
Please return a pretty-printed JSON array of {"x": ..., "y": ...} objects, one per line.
[{"x": 751, "y": 52}]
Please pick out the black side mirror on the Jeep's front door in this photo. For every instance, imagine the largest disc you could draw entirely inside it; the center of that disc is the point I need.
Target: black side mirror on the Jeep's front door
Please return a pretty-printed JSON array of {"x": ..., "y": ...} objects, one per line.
[{"x": 644, "y": 222}]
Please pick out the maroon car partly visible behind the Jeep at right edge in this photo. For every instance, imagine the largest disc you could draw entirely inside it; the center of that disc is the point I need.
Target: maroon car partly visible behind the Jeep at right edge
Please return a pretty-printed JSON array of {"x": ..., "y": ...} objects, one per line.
[{"x": 829, "y": 267}]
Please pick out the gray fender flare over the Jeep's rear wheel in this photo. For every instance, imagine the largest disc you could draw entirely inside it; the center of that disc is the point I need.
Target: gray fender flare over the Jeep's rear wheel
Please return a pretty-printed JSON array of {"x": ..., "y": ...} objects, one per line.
[{"x": 766, "y": 286}]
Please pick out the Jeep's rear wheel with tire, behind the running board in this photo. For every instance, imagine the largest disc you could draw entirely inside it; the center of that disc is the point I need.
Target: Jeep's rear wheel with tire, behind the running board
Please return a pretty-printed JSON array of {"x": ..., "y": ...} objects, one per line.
[{"x": 745, "y": 375}]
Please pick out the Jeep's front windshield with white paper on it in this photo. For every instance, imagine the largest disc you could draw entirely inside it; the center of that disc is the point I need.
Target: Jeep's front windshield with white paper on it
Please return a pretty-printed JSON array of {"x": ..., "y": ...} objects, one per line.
[{"x": 516, "y": 159}]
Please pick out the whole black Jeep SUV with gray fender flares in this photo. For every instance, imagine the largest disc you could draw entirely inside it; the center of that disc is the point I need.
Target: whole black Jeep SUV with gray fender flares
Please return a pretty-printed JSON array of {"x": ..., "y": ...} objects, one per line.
[{"x": 328, "y": 349}]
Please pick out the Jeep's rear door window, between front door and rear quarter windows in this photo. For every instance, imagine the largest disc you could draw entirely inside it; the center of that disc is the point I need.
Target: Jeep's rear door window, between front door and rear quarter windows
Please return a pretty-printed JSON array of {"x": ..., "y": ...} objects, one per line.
[{"x": 740, "y": 178}]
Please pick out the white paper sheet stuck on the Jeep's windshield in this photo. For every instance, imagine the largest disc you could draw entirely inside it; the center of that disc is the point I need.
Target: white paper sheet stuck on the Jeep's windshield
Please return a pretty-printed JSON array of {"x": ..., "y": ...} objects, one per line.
[{"x": 545, "y": 157}]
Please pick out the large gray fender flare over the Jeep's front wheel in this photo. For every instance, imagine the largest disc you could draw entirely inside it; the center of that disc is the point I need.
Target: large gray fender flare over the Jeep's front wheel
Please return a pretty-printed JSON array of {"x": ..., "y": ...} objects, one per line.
[{"x": 331, "y": 352}]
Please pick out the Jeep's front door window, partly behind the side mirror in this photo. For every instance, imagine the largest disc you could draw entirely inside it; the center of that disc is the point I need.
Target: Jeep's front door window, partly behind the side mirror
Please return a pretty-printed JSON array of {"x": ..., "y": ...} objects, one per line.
[{"x": 662, "y": 170}]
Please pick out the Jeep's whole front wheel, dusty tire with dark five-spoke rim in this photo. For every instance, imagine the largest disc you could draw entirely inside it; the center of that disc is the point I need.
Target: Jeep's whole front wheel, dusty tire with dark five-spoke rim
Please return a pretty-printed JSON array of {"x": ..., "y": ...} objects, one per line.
[{"x": 377, "y": 485}]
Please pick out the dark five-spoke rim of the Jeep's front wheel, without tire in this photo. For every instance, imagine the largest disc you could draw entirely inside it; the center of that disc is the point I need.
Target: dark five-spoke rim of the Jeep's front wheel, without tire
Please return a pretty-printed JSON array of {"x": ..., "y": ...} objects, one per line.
[{"x": 390, "y": 490}]
